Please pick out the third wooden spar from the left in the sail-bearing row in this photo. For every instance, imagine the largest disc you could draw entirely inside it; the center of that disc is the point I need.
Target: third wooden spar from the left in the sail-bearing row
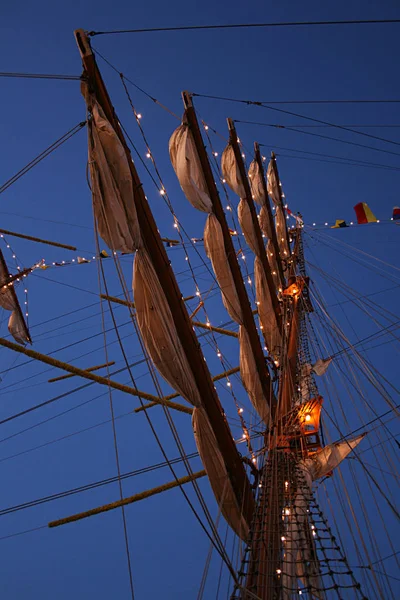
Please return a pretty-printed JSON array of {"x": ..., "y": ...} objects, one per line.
[{"x": 260, "y": 242}]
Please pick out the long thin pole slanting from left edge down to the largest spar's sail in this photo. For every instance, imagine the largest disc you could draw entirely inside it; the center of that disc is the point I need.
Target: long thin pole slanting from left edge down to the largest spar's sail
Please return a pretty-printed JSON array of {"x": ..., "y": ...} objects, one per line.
[{"x": 49, "y": 360}]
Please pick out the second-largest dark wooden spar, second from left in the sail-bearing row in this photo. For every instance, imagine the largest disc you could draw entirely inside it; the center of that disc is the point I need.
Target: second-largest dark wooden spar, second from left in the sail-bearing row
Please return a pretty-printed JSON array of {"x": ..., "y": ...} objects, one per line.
[{"x": 248, "y": 319}]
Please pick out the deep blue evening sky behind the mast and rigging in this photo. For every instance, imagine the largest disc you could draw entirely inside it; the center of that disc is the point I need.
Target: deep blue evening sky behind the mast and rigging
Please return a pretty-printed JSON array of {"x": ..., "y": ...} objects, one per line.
[{"x": 168, "y": 549}]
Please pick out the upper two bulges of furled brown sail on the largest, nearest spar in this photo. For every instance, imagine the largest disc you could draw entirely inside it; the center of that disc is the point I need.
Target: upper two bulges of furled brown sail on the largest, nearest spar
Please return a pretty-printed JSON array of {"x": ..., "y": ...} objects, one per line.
[{"x": 118, "y": 225}]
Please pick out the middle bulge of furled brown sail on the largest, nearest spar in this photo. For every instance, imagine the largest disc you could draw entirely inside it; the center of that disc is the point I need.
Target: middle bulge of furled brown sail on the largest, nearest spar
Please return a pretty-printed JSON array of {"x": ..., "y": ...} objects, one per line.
[{"x": 158, "y": 331}]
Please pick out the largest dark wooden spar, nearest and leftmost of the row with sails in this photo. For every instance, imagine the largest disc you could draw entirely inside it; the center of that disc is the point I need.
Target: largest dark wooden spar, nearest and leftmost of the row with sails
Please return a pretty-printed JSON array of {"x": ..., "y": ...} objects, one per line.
[{"x": 160, "y": 261}]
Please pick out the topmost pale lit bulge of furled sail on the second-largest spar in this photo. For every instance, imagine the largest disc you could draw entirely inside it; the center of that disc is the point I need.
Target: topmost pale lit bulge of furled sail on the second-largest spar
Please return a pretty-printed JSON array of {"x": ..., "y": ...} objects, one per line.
[{"x": 186, "y": 163}]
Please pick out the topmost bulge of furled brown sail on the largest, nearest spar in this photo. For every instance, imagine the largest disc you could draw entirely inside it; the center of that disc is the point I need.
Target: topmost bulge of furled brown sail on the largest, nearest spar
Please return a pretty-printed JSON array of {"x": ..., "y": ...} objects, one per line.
[{"x": 111, "y": 182}]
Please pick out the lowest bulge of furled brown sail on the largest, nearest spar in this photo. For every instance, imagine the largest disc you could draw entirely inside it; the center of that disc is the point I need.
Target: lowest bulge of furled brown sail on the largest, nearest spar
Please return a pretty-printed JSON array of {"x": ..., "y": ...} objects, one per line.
[{"x": 216, "y": 471}]
